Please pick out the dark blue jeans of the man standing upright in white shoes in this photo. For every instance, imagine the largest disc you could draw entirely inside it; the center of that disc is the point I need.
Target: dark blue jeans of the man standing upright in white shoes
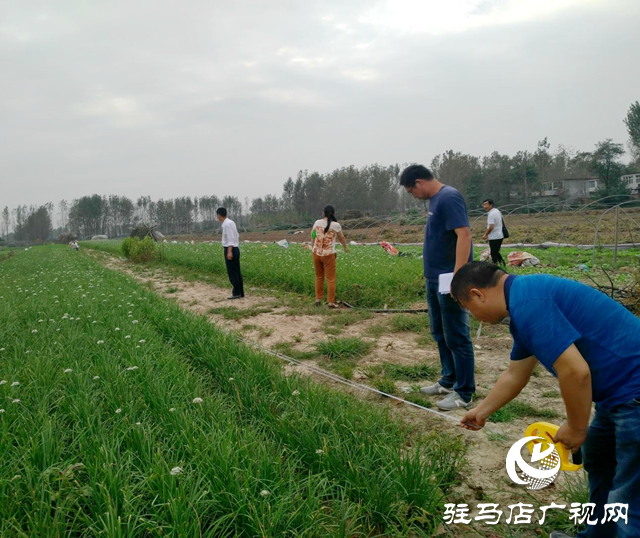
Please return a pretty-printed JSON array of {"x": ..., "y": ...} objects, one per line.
[{"x": 450, "y": 329}]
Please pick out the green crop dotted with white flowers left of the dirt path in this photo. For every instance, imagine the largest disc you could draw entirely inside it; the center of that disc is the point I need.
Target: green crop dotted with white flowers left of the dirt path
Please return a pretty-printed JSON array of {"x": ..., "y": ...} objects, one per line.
[{"x": 132, "y": 432}]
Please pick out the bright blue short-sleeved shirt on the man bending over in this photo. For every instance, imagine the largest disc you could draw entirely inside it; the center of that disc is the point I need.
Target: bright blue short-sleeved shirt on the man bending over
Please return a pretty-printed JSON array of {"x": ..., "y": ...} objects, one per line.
[{"x": 548, "y": 314}]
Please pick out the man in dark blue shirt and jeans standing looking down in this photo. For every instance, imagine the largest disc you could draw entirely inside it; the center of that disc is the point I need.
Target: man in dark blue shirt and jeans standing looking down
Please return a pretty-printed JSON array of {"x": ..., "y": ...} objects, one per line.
[{"x": 447, "y": 247}]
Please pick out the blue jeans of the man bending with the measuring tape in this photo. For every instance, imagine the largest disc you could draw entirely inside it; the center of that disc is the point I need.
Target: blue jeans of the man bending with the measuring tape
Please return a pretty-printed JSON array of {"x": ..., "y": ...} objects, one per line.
[{"x": 611, "y": 455}]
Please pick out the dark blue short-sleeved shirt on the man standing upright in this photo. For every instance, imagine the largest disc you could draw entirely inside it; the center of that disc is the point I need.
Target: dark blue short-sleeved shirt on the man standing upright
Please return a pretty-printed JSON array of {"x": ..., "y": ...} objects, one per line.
[{"x": 447, "y": 211}]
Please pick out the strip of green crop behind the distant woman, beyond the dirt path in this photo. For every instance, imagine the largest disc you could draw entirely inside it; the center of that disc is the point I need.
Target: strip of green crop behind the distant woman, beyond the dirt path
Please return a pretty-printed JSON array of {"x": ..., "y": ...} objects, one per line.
[{"x": 367, "y": 276}]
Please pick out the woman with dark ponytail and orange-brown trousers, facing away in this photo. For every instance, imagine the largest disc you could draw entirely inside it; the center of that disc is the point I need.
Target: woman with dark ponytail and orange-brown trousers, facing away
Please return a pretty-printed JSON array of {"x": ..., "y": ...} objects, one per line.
[{"x": 323, "y": 245}]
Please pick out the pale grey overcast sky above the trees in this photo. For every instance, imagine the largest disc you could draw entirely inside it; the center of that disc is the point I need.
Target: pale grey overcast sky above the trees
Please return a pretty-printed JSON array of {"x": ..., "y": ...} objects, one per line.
[{"x": 225, "y": 97}]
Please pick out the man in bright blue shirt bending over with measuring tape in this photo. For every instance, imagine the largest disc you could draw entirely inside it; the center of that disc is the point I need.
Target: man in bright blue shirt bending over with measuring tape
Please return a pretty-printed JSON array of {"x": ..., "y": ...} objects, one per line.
[{"x": 591, "y": 344}]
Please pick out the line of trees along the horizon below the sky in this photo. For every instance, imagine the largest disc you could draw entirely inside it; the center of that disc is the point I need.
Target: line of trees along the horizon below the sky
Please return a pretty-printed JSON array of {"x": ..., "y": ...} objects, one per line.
[{"x": 371, "y": 189}]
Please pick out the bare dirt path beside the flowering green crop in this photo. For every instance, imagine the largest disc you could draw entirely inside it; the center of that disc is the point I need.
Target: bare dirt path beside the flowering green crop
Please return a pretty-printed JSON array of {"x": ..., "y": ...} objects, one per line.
[{"x": 265, "y": 318}]
